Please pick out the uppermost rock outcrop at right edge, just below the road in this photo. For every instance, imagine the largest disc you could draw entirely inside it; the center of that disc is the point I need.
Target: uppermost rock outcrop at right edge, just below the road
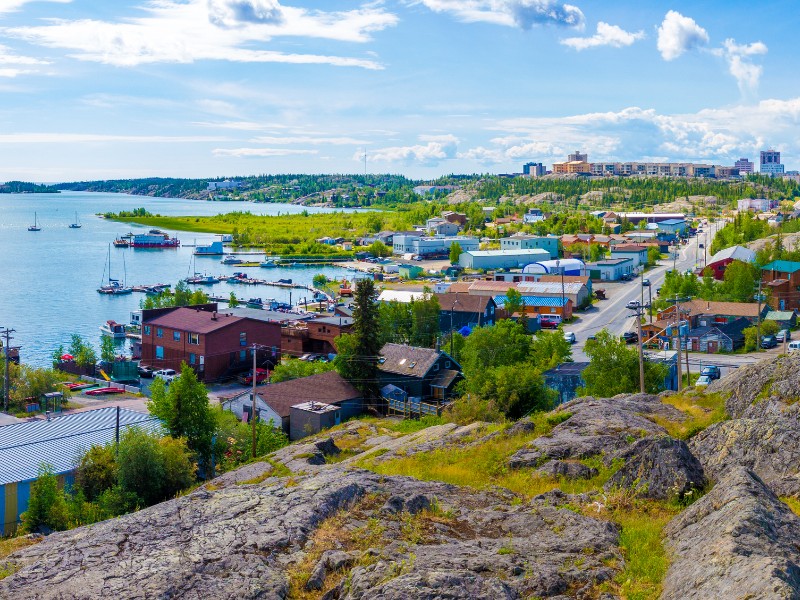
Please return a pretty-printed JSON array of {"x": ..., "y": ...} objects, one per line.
[{"x": 769, "y": 382}]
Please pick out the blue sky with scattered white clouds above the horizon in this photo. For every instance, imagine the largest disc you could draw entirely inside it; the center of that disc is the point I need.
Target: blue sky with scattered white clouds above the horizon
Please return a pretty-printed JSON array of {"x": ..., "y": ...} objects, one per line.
[{"x": 101, "y": 89}]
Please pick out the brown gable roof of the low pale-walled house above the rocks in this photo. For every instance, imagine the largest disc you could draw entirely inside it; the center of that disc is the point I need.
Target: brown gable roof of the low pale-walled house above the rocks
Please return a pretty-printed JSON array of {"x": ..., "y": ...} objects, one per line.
[{"x": 328, "y": 388}]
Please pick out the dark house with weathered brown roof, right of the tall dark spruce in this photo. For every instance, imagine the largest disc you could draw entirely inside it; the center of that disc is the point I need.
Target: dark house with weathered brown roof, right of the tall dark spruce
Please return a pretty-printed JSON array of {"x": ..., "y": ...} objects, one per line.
[{"x": 416, "y": 380}]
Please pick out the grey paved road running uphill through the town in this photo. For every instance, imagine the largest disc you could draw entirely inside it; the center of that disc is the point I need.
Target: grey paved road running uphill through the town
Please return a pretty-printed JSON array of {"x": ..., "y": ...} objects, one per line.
[{"x": 612, "y": 314}]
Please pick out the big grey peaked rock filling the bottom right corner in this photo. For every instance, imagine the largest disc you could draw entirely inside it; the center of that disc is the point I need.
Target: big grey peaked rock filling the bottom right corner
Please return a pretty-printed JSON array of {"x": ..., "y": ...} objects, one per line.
[{"x": 738, "y": 541}]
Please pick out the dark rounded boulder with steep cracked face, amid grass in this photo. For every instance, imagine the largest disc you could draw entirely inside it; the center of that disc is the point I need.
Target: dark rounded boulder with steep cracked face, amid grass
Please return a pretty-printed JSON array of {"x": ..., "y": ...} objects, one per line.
[{"x": 660, "y": 468}]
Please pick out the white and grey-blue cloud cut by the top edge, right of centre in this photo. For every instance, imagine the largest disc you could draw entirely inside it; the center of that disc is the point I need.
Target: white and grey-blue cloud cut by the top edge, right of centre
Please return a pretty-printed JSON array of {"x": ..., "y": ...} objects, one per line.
[{"x": 511, "y": 13}]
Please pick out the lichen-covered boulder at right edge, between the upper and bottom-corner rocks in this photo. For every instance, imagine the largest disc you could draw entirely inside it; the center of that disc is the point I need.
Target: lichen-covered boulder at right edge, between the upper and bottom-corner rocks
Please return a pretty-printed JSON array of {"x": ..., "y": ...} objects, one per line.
[{"x": 768, "y": 446}]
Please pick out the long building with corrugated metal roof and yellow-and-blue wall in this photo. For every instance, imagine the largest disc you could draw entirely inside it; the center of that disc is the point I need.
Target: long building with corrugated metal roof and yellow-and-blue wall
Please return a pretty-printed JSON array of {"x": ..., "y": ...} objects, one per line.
[{"x": 58, "y": 442}]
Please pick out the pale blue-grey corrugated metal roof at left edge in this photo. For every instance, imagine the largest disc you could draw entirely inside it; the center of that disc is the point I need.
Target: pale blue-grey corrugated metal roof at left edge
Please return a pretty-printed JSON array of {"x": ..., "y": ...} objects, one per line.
[{"x": 61, "y": 441}]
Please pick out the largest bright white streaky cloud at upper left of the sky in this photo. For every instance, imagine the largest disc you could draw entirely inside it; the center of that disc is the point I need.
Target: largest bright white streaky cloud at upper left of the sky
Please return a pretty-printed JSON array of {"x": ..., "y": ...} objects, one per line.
[{"x": 176, "y": 31}]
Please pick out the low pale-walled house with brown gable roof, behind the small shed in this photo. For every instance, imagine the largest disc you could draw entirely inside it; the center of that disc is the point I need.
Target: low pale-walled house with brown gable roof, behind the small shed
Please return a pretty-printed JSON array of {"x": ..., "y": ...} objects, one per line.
[{"x": 274, "y": 402}]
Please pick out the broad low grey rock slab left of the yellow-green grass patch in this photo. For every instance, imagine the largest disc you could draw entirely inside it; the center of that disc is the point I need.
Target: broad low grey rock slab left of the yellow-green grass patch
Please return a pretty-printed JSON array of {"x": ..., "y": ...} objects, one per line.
[{"x": 598, "y": 426}]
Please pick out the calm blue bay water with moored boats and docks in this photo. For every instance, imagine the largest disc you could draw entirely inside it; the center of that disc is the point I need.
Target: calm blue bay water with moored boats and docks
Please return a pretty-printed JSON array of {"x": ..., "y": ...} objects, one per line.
[{"x": 49, "y": 279}]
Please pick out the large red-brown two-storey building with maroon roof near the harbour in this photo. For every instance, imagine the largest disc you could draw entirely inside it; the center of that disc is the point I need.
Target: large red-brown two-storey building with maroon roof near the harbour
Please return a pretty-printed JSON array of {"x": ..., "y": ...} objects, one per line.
[{"x": 215, "y": 344}]
